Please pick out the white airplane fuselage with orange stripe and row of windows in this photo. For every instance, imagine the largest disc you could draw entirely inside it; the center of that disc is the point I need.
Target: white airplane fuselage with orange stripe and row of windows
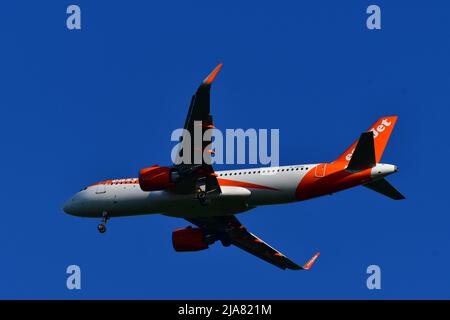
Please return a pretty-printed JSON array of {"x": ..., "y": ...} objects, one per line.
[{"x": 242, "y": 190}]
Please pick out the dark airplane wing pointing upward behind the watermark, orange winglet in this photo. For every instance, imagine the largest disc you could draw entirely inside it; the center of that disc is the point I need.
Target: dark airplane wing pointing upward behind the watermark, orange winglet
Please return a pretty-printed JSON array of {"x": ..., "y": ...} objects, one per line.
[{"x": 192, "y": 162}]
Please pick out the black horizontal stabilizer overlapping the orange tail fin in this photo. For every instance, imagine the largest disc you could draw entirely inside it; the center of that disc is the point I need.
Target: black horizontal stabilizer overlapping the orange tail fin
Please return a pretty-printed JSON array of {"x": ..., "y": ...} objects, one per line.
[{"x": 364, "y": 155}]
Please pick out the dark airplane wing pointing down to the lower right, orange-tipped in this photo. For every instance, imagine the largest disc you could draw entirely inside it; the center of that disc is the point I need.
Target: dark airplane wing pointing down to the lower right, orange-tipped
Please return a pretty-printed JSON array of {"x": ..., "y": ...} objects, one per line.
[{"x": 229, "y": 230}]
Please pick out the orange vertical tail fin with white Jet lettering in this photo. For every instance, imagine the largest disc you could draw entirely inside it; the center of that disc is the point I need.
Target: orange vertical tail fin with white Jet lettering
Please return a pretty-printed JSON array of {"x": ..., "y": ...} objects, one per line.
[{"x": 382, "y": 130}]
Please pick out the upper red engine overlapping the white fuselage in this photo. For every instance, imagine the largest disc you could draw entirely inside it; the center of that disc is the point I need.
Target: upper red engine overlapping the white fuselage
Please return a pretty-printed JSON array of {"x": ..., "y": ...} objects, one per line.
[{"x": 156, "y": 178}]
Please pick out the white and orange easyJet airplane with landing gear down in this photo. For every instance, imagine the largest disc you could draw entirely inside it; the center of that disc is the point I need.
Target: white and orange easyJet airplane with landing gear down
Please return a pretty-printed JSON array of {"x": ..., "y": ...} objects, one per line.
[{"x": 210, "y": 200}]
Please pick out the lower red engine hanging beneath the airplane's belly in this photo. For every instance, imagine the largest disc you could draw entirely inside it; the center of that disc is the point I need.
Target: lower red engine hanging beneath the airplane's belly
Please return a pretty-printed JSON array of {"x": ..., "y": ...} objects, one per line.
[{"x": 188, "y": 239}]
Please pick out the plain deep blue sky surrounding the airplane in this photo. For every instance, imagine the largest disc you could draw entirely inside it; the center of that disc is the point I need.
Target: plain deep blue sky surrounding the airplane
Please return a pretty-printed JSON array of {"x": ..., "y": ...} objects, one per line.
[{"x": 84, "y": 106}]
